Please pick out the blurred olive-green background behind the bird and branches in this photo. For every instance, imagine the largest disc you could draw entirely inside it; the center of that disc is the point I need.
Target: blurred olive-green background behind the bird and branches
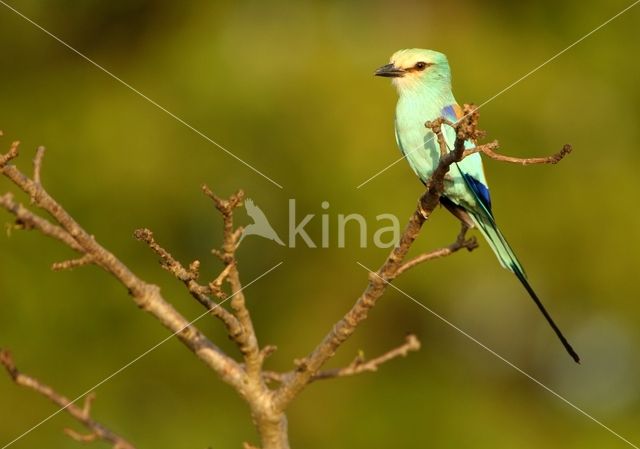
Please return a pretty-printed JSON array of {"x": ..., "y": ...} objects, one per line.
[{"x": 288, "y": 87}]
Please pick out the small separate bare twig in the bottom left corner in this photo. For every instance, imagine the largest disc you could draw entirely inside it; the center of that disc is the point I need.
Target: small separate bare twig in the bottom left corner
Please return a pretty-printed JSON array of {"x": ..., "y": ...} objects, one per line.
[{"x": 80, "y": 414}]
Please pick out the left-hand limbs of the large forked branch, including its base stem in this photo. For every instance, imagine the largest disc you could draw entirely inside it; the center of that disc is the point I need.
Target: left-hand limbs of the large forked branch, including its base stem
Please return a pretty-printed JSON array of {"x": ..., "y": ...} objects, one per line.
[{"x": 270, "y": 422}]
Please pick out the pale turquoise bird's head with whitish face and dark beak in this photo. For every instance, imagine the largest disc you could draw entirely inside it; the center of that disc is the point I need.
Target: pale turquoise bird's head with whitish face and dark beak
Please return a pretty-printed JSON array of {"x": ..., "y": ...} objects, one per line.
[{"x": 414, "y": 68}]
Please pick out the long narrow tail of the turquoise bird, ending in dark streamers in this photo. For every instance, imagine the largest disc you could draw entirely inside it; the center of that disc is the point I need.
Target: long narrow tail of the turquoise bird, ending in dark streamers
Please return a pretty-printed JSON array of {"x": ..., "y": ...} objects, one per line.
[{"x": 487, "y": 225}]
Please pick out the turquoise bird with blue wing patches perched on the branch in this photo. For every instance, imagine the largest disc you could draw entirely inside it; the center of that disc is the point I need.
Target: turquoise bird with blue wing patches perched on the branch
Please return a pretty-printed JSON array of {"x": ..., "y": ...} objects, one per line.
[{"x": 423, "y": 81}]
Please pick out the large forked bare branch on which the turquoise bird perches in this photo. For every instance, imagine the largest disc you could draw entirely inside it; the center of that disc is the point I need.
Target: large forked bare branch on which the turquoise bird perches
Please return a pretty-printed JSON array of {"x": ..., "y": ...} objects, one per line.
[{"x": 248, "y": 377}]
